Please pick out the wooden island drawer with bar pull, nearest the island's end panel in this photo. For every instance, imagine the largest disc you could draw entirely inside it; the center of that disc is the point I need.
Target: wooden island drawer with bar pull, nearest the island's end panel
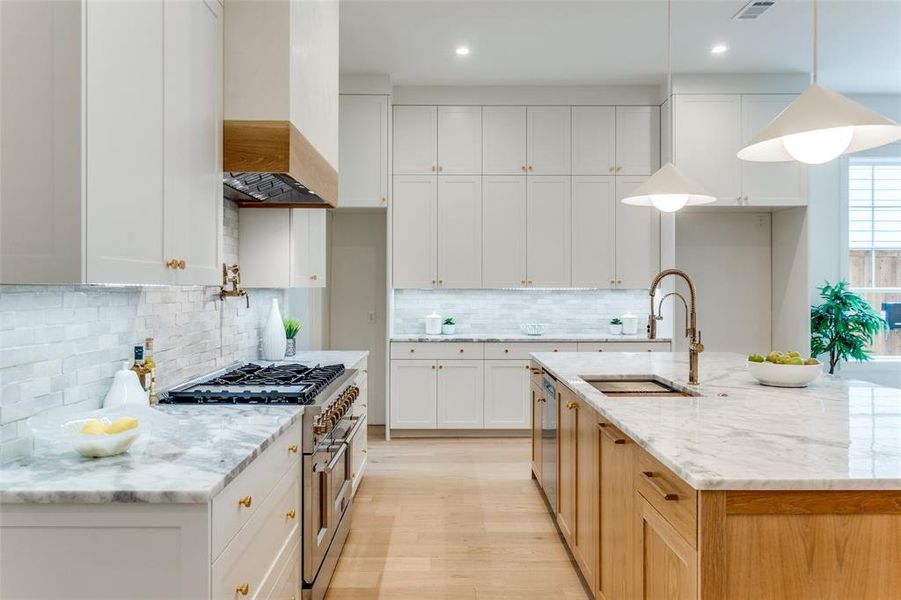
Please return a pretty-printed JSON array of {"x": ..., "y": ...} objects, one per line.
[{"x": 674, "y": 499}]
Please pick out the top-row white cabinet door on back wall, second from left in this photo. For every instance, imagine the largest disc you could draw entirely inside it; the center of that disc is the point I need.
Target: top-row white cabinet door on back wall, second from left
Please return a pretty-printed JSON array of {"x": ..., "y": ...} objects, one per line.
[{"x": 460, "y": 140}]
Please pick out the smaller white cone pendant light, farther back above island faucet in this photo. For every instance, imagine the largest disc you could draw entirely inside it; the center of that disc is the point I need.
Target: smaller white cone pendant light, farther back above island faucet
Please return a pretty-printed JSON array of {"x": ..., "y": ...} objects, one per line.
[{"x": 668, "y": 190}]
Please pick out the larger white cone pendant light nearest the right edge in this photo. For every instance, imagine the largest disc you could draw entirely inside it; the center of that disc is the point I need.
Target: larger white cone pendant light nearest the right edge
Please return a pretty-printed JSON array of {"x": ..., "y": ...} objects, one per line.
[{"x": 820, "y": 125}]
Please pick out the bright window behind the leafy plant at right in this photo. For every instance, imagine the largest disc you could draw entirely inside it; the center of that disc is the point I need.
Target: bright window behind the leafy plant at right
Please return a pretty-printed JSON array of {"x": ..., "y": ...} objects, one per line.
[{"x": 874, "y": 240}]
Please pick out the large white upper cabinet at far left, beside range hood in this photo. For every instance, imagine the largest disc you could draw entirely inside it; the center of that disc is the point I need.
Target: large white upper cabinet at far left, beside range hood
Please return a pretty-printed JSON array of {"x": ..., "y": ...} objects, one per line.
[{"x": 116, "y": 109}]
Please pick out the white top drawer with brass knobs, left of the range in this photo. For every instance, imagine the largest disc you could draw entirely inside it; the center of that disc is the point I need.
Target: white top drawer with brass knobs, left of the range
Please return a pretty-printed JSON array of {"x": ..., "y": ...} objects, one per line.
[{"x": 239, "y": 501}]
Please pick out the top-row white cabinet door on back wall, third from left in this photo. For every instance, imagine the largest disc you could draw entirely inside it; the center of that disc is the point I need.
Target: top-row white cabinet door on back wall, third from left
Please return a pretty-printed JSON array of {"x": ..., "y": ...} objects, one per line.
[{"x": 504, "y": 140}]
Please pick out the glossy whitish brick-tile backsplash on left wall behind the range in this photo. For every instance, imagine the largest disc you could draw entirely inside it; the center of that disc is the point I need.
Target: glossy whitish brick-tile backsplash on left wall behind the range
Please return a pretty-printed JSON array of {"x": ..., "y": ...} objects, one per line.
[{"x": 60, "y": 345}]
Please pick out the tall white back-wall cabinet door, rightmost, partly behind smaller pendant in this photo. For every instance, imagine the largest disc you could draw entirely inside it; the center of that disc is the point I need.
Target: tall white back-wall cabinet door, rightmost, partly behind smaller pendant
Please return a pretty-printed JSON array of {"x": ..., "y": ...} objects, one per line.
[{"x": 637, "y": 239}]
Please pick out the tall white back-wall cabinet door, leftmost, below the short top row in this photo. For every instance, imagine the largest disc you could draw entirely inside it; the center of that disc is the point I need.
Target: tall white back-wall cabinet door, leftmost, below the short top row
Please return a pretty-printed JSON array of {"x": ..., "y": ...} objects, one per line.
[{"x": 414, "y": 231}]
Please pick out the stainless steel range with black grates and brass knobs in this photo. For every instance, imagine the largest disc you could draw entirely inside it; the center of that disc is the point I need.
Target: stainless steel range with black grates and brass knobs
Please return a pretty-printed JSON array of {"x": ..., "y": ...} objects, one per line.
[{"x": 329, "y": 432}]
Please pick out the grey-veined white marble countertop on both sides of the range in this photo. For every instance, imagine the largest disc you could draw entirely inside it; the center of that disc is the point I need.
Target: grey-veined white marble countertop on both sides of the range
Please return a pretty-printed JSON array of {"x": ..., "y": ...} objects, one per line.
[{"x": 188, "y": 463}]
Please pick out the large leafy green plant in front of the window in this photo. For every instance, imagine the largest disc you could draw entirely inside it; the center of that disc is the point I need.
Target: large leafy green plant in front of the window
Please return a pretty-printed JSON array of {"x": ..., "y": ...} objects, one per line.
[{"x": 843, "y": 325}]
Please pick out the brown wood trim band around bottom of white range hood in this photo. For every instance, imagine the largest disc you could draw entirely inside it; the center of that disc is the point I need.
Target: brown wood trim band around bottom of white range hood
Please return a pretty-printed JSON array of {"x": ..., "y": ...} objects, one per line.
[{"x": 278, "y": 147}]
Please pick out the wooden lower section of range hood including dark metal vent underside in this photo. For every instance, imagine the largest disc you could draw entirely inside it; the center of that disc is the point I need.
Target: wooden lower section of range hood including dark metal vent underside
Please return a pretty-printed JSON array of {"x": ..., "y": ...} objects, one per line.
[{"x": 270, "y": 164}]
